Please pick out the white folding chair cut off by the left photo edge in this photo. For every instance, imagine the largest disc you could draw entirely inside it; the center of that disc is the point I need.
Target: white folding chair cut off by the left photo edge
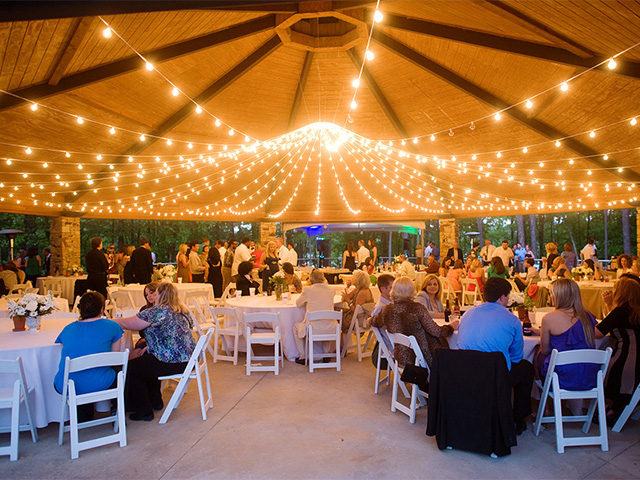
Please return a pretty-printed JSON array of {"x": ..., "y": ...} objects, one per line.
[{"x": 12, "y": 397}]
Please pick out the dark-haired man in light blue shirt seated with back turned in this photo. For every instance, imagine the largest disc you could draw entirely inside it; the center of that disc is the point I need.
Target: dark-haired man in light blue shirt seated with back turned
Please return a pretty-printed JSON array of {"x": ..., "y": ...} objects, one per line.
[{"x": 490, "y": 327}]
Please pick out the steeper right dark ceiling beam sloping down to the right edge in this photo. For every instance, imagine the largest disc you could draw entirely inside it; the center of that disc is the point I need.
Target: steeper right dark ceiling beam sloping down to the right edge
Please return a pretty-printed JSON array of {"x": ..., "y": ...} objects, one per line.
[{"x": 544, "y": 129}]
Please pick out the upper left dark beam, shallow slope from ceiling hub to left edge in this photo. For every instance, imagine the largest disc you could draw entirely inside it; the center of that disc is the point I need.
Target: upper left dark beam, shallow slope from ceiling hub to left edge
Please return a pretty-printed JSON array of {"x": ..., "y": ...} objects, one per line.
[{"x": 130, "y": 64}]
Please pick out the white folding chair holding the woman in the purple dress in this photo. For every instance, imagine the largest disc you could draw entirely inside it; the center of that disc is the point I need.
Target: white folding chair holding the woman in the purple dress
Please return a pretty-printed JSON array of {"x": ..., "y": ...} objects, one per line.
[{"x": 552, "y": 389}]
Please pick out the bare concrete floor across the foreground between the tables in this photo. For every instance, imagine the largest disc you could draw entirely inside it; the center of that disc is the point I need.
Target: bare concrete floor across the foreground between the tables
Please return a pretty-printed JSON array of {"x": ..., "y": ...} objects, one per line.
[{"x": 299, "y": 425}]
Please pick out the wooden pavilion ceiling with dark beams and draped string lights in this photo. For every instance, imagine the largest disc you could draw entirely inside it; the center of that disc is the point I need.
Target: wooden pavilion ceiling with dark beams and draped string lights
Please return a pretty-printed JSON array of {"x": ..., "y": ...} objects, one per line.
[{"x": 441, "y": 68}]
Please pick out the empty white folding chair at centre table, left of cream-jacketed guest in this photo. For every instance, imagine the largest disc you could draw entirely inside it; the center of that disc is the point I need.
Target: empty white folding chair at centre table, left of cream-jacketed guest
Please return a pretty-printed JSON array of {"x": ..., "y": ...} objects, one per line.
[{"x": 258, "y": 336}]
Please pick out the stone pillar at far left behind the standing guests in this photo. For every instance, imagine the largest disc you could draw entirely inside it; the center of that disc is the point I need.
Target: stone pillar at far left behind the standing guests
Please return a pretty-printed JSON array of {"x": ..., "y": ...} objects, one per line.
[{"x": 65, "y": 243}]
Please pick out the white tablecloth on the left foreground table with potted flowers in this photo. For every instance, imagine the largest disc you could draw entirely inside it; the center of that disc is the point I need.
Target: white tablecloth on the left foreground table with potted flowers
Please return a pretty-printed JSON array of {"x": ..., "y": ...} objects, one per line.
[{"x": 40, "y": 358}]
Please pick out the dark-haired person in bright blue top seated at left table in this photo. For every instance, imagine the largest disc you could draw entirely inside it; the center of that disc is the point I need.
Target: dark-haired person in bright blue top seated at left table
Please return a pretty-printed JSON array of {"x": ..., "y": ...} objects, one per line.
[{"x": 92, "y": 333}]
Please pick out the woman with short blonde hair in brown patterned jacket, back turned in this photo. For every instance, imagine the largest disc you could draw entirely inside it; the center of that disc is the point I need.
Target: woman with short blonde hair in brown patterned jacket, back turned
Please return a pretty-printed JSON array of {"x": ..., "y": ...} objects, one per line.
[{"x": 411, "y": 318}]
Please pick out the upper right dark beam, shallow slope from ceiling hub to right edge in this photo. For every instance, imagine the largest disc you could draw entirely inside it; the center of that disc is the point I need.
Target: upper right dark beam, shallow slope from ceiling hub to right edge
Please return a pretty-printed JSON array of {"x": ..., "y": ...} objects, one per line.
[{"x": 510, "y": 45}]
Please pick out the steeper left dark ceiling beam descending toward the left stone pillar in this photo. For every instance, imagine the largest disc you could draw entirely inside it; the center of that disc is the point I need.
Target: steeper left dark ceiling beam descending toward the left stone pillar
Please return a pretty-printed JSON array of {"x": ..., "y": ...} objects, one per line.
[{"x": 206, "y": 95}]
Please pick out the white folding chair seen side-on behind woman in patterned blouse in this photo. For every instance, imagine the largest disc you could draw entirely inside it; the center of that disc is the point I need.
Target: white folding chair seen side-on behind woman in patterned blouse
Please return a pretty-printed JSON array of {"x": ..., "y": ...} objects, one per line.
[{"x": 196, "y": 366}]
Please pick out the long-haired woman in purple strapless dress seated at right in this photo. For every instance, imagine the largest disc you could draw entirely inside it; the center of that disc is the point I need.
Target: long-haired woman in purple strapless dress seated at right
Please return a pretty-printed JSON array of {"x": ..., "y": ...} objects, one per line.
[{"x": 568, "y": 327}]
